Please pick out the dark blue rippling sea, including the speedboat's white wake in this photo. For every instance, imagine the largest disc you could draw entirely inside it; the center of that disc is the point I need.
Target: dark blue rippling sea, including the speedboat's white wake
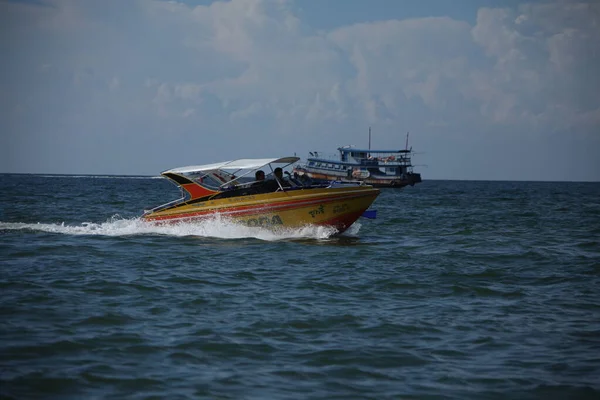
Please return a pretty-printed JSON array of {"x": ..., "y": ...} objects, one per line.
[{"x": 458, "y": 290}]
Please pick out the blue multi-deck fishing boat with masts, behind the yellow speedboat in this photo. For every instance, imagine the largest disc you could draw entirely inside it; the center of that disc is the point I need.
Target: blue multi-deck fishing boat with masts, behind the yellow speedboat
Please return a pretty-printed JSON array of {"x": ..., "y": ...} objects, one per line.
[{"x": 380, "y": 168}]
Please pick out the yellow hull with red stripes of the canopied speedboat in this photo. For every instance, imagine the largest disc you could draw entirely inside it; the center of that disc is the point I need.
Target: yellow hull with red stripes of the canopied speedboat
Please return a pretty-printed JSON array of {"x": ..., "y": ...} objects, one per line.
[{"x": 337, "y": 207}]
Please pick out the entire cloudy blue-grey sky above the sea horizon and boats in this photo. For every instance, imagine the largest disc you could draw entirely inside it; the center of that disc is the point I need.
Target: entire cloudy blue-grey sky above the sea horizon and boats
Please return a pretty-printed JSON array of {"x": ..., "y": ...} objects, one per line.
[{"x": 488, "y": 89}]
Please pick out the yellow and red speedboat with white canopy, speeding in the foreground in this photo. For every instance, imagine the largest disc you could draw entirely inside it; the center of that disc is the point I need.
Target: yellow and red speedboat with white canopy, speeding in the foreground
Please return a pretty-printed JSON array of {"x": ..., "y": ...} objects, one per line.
[{"x": 230, "y": 190}]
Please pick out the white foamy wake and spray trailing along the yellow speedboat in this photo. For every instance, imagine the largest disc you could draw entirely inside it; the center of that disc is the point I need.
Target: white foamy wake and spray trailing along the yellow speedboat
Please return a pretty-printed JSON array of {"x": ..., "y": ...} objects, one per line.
[{"x": 217, "y": 227}]
